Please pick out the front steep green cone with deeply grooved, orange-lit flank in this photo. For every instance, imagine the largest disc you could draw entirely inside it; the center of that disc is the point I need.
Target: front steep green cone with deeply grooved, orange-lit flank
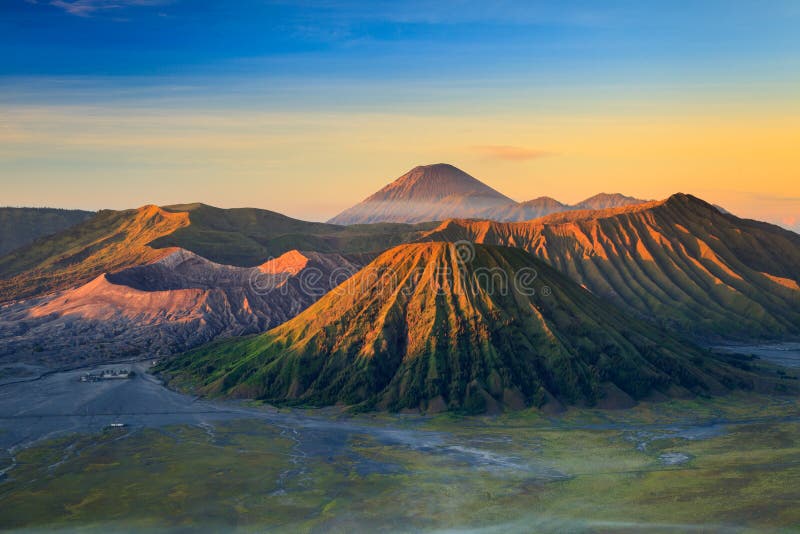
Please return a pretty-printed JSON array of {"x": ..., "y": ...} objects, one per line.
[{"x": 429, "y": 326}]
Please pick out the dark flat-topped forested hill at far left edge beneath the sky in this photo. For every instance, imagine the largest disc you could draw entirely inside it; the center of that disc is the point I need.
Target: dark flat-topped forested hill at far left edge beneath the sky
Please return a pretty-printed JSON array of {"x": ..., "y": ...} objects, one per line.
[{"x": 22, "y": 226}]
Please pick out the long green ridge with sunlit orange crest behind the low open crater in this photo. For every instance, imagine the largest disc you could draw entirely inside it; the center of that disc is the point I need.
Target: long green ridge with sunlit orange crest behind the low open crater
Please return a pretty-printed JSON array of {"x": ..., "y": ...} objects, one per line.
[{"x": 111, "y": 241}]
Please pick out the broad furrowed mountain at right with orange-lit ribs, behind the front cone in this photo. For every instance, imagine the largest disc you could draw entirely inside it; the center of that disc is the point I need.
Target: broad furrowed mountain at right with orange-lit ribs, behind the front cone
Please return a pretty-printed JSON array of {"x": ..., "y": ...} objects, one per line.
[{"x": 680, "y": 262}]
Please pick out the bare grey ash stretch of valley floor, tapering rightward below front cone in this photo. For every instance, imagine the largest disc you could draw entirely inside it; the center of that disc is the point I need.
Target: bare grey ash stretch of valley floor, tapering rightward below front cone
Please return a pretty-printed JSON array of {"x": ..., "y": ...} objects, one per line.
[{"x": 57, "y": 403}]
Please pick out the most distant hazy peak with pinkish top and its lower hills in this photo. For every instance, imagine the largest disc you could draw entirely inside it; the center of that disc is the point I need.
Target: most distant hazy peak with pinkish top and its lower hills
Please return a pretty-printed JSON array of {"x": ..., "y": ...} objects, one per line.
[{"x": 441, "y": 191}]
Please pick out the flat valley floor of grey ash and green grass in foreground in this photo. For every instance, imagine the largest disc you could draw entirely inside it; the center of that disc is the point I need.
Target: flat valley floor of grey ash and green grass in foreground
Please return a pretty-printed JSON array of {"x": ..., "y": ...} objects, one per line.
[{"x": 729, "y": 464}]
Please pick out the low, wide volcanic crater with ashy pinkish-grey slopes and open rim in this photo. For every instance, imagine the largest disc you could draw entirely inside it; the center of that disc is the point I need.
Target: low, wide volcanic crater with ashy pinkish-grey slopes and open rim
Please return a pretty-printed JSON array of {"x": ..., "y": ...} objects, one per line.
[{"x": 171, "y": 305}]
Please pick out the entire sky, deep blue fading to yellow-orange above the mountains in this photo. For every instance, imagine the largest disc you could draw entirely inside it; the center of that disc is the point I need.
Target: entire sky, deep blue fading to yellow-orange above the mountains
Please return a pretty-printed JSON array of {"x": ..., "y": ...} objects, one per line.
[{"x": 308, "y": 107}]
